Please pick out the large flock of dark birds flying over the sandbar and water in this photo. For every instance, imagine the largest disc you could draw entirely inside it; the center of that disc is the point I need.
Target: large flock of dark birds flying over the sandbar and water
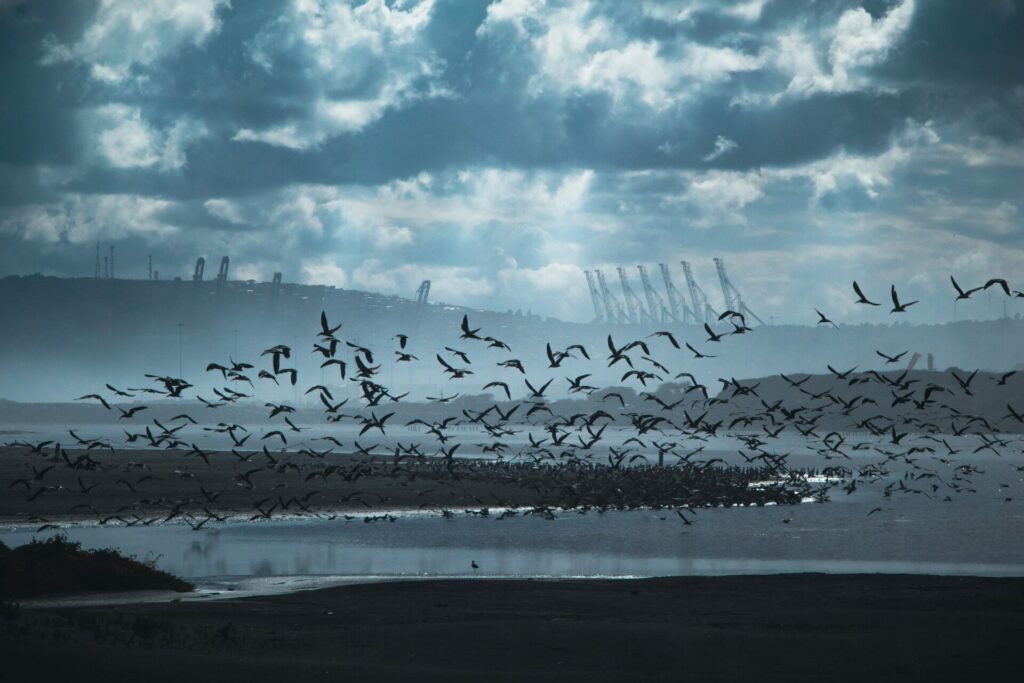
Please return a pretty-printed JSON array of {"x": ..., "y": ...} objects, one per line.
[{"x": 566, "y": 460}]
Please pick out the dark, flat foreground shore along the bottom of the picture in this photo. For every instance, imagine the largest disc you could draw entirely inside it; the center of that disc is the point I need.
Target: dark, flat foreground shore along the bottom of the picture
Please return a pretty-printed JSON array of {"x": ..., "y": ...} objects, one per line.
[{"x": 833, "y": 628}]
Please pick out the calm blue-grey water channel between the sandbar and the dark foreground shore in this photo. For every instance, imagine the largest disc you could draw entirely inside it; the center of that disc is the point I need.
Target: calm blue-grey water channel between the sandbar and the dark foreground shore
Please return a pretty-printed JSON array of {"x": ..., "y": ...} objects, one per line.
[{"x": 973, "y": 537}]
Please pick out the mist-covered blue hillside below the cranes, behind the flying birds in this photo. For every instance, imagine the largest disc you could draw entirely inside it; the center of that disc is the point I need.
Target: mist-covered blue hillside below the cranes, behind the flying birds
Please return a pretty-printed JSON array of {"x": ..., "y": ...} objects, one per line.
[{"x": 68, "y": 337}]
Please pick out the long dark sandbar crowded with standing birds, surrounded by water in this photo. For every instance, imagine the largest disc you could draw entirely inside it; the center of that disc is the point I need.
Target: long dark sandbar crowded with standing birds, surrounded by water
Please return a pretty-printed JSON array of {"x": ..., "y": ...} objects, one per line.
[{"x": 145, "y": 487}]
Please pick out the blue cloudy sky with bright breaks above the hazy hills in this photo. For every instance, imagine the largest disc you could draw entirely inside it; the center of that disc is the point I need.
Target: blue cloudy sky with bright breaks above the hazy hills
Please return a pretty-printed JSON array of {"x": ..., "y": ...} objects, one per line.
[{"x": 500, "y": 149}]
